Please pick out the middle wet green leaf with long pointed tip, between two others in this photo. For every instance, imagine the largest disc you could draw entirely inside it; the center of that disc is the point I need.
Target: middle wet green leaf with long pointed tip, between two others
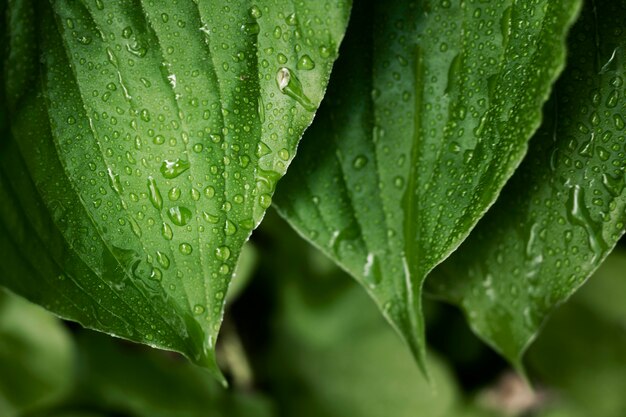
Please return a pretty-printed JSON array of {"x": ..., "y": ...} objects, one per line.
[{"x": 427, "y": 117}]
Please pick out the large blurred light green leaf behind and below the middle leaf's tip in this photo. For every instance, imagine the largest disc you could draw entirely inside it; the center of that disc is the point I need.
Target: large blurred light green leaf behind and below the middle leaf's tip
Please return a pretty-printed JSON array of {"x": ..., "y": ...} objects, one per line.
[{"x": 330, "y": 352}]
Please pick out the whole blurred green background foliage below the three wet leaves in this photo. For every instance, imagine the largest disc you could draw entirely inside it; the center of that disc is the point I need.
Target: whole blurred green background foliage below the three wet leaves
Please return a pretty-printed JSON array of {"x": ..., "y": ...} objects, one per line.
[{"x": 302, "y": 339}]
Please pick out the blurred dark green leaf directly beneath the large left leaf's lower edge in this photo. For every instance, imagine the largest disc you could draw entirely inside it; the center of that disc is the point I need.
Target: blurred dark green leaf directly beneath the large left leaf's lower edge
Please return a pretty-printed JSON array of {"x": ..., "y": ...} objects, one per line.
[{"x": 129, "y": 381}]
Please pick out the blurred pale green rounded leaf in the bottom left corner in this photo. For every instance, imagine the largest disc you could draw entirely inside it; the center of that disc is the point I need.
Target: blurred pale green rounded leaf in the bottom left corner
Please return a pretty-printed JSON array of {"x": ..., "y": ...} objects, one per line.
[{"x": 36, "y": 357}]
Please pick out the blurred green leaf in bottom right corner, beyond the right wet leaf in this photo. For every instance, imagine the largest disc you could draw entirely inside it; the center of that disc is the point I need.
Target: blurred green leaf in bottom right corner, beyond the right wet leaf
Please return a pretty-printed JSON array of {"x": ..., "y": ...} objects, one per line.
[{"x": 581, "y": 351}]
